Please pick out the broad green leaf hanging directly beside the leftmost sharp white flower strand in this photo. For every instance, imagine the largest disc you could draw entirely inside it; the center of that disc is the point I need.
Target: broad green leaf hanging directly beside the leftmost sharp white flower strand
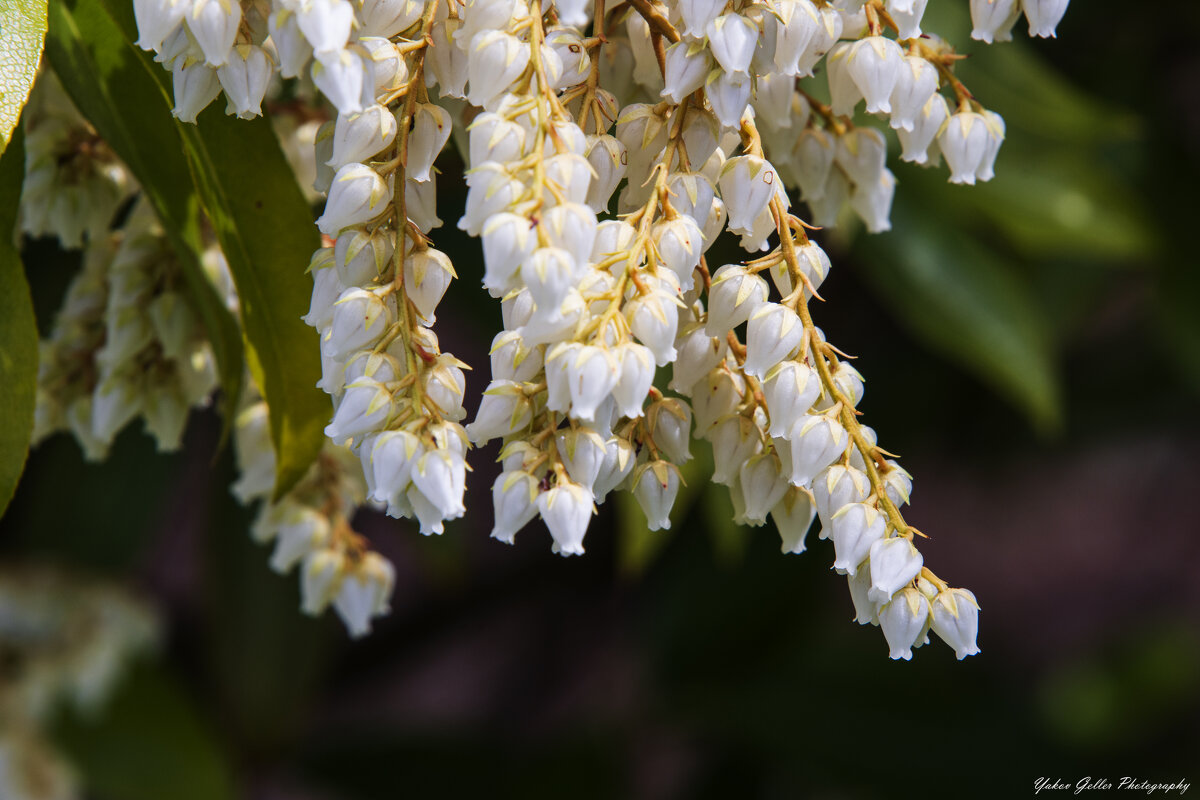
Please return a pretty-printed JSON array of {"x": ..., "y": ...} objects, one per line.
[{"x": 266, "y": 230}]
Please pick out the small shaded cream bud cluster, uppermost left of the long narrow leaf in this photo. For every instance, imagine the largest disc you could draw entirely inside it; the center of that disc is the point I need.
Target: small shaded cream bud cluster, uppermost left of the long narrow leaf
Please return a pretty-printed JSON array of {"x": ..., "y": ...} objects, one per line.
[{"x": 74, "y": 183}]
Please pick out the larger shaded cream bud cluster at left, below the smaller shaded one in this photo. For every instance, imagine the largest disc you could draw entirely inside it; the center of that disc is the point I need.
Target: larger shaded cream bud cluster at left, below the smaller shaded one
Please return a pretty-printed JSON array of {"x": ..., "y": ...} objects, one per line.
[{"x": 125, "y": 344}]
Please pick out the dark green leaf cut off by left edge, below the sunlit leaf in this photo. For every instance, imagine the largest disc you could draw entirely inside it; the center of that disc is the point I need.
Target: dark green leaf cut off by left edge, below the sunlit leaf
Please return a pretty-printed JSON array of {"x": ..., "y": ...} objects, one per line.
[{"x": 19, "y": 333}]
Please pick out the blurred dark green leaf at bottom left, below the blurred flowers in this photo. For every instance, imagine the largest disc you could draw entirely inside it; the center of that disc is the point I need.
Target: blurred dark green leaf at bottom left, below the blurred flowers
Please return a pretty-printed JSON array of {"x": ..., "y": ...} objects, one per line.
[{"x": 148, "y": 744}]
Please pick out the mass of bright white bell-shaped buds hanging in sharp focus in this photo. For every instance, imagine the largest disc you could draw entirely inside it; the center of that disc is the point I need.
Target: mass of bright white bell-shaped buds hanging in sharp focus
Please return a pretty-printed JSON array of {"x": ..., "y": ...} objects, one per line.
[{"x": 705, "y": 112}]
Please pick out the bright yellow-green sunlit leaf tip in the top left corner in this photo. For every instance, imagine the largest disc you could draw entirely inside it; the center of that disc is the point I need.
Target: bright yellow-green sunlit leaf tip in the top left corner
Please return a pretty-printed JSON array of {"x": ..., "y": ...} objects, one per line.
[{"x": 22, "y": 34}]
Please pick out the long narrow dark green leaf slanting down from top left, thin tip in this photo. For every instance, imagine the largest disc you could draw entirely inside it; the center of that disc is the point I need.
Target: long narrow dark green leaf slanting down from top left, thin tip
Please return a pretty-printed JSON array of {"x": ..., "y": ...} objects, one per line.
[{"x": 111, "y": 86}]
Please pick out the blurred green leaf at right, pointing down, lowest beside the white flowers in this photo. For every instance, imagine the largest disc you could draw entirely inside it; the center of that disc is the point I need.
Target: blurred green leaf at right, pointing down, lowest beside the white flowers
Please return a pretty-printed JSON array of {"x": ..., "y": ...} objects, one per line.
[{"x": 964, "y": 303}]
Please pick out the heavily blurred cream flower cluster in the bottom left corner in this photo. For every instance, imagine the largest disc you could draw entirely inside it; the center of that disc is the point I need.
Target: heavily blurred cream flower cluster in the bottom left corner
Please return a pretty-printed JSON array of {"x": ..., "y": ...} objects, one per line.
[{"x": 65, "y": 641}]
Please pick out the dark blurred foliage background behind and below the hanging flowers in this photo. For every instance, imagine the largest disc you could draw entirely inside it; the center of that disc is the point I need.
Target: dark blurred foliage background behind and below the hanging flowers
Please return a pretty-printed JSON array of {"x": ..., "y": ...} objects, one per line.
[{"x": 1033, "y": 351}]
